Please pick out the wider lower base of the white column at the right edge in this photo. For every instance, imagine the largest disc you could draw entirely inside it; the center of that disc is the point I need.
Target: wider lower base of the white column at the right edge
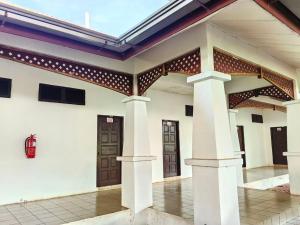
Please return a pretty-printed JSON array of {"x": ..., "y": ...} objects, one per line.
[{"x": 294, "y": 171}]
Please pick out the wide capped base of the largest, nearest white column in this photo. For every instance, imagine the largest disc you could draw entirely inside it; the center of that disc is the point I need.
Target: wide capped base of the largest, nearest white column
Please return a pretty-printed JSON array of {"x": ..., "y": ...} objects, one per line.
[{"x": 215, "y": 191}]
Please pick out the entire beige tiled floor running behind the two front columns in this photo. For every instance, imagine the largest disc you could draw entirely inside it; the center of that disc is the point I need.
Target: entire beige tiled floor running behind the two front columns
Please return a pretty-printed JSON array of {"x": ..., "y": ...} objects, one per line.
[{"x": 174, "y": 197}]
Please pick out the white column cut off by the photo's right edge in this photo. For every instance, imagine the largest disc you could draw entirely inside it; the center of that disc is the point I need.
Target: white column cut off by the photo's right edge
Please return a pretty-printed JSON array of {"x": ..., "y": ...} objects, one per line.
[{"x": 293, "y": 154}]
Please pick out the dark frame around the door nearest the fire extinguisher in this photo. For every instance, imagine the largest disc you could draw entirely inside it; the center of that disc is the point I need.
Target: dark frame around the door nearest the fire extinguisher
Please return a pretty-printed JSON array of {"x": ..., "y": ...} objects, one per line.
[{"x": 121, "y": 144}]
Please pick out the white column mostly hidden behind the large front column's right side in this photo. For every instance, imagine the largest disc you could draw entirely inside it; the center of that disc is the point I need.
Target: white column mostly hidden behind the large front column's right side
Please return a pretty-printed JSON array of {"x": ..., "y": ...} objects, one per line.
[{"x": 236, "y": 146}]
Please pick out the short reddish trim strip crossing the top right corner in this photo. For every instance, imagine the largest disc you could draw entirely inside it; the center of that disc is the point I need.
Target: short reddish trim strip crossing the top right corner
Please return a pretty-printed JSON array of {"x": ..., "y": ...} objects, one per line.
[{"x": 279, "y": 15}]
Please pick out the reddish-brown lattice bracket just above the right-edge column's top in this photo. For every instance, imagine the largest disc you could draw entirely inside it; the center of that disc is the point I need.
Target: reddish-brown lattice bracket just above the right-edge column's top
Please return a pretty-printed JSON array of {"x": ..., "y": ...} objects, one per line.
[{"x": 285, "y": 84}]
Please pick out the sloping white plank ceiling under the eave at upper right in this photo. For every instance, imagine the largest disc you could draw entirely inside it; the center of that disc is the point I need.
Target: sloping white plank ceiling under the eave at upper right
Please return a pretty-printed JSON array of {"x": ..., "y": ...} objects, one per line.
[{"x": 248, "y": 20}]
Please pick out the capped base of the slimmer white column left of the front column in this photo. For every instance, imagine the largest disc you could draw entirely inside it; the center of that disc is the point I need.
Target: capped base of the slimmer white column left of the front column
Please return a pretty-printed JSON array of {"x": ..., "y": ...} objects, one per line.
[{"x": 137, "y": 182}]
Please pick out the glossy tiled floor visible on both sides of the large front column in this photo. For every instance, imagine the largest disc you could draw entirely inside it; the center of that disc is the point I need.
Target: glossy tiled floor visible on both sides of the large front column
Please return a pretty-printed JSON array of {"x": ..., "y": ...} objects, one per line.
[{"x": 255, "y": 206}]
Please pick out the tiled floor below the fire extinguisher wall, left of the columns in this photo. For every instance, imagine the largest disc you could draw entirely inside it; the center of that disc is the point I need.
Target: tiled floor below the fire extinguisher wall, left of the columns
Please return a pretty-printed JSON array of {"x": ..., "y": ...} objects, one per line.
[{"x": 62, "y": 210}]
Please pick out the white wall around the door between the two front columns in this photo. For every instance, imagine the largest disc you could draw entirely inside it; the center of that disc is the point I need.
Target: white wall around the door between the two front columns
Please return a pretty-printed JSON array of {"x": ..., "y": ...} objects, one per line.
[{"x": 169, "y": 106}]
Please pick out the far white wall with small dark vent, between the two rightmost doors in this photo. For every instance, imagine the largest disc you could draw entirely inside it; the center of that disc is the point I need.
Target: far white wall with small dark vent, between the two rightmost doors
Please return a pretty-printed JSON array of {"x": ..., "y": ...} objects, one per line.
[{"x": 257, "y": 136}]
